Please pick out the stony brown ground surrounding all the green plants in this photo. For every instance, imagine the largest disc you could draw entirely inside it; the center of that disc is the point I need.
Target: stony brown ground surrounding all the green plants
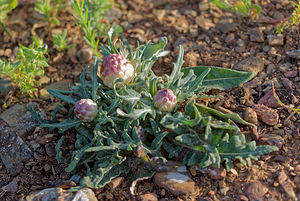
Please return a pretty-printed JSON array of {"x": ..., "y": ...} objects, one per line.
[{"x": 211, "y": 37}]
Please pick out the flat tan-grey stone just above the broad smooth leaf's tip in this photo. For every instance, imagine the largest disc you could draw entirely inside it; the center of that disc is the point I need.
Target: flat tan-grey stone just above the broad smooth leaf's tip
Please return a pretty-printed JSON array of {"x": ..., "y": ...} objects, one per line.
[{"x": 252, "y": 64}]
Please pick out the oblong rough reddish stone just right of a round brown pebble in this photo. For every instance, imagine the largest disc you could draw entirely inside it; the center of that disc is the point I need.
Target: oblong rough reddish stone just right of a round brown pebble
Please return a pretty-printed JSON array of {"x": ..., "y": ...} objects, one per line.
[{"x": 266, "y": 114}]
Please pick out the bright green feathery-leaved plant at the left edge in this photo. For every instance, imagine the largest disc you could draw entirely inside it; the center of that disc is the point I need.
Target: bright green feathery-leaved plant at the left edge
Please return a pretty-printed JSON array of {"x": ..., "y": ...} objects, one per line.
[{"x": 28, "y": 64}]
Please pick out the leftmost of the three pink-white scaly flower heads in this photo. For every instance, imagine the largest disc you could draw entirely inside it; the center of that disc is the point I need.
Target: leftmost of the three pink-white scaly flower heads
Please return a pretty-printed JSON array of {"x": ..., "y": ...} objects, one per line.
[{"x": 86, "y": 110}]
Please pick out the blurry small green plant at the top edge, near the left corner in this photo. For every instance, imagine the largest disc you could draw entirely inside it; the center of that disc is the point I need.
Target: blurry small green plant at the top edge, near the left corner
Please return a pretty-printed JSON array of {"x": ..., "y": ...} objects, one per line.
[{"x": 49, "y": 10}]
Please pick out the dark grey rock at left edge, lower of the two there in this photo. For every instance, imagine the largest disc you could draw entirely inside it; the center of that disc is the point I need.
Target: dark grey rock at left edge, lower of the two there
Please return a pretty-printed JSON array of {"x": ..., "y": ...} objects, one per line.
[{"x": 13, "y": 150}]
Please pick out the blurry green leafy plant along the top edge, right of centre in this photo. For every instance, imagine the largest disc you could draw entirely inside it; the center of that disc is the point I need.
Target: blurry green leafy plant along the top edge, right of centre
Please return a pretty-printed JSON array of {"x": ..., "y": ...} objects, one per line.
[{"x": 242, "y": 7}]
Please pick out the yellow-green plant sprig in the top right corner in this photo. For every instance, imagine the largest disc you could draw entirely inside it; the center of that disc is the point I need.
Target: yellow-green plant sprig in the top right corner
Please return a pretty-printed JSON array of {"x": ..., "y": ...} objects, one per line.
[{"x": 292, "y": 20}]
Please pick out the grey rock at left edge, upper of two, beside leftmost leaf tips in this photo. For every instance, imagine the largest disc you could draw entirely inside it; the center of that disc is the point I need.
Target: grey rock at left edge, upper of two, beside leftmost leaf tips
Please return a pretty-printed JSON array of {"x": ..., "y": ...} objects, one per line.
[{"x": 20, "y": 119}]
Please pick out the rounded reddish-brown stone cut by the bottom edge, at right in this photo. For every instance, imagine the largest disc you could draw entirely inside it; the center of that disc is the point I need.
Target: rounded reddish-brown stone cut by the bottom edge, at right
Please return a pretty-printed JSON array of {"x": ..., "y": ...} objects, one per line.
[{"x": 256, "y": 190}]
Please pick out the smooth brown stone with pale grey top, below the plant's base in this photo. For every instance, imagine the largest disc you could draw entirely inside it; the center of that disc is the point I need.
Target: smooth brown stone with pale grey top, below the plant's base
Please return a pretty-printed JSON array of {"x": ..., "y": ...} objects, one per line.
[{"x": 175, "y": 182}]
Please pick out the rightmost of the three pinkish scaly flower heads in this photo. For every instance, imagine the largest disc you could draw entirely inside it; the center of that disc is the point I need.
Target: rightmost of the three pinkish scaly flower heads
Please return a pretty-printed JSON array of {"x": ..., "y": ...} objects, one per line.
[{"x": 165, "y": 100}]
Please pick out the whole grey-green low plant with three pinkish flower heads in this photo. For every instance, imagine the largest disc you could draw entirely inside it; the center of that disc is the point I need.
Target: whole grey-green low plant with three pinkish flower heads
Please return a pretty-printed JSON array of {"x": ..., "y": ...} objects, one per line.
[{"x": 127, "y": 117}]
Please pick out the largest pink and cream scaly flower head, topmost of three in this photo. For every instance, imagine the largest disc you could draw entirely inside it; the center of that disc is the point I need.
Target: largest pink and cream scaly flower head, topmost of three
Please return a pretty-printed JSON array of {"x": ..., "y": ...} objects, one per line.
[{"x": 115, "y": 67}]
